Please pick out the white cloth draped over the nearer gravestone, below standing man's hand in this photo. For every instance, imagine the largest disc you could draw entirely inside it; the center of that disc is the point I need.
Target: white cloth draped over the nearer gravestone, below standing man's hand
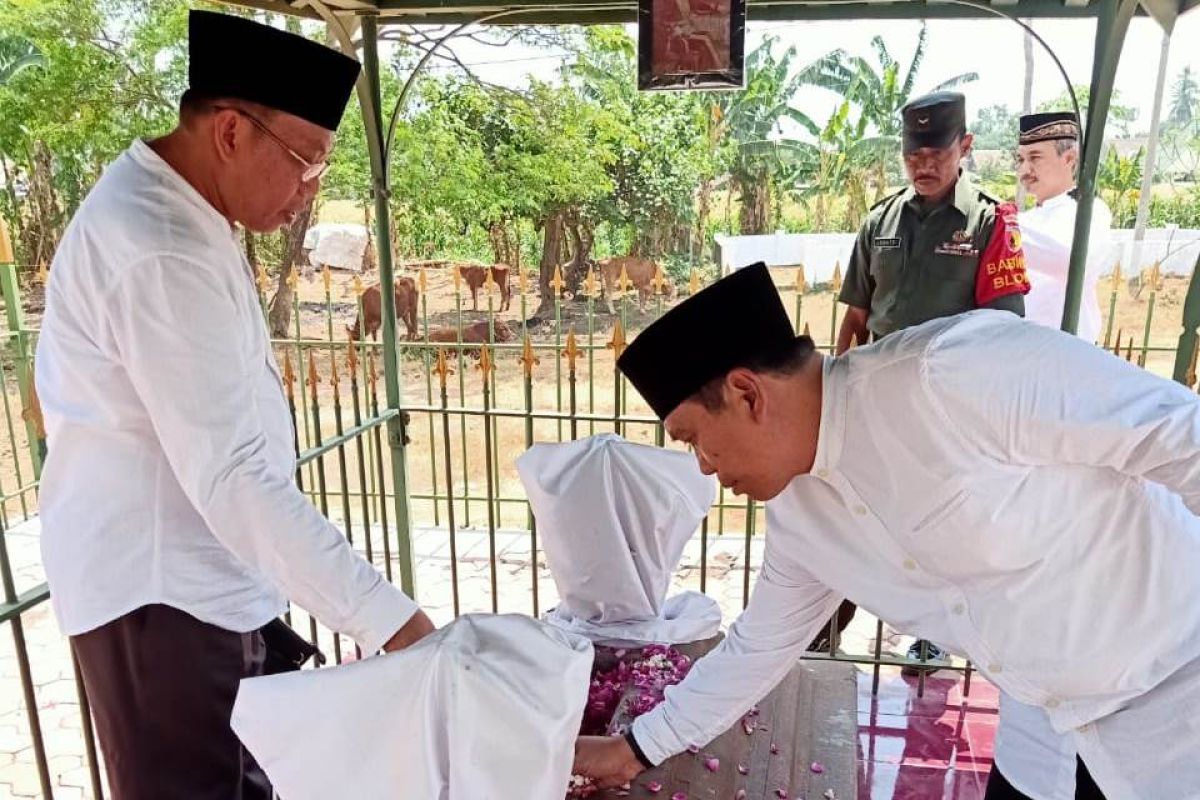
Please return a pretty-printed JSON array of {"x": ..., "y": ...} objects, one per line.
[{"x": 488, "y": 707}]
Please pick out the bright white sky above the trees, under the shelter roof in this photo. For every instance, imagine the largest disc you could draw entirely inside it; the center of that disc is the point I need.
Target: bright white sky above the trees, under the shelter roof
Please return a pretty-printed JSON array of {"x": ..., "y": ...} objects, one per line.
[{"x": 994, "y": 49}]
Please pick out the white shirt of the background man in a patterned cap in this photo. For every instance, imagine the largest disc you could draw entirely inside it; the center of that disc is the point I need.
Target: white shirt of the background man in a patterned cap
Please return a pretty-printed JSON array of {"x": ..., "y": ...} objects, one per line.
[{"x": 1047, "y": 234}]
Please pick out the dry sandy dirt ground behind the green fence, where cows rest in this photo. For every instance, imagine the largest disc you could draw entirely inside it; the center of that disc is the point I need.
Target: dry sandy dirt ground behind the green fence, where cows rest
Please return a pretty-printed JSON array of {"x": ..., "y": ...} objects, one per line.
[{"x": 460, "y": 438}]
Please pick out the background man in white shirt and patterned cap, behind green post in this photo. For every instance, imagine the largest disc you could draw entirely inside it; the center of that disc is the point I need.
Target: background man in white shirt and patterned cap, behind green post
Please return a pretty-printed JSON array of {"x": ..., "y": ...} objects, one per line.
[{"x": 1047, "y": 160}]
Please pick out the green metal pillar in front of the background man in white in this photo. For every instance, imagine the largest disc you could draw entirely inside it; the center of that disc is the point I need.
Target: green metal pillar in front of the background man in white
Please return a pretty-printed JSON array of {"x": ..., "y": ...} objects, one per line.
[{"x": 1111, "y": 32}]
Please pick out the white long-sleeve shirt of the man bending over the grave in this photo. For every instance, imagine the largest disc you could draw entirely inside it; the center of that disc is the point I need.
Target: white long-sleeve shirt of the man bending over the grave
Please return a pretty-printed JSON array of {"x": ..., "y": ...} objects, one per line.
[{"x": 1003, "y": 489}]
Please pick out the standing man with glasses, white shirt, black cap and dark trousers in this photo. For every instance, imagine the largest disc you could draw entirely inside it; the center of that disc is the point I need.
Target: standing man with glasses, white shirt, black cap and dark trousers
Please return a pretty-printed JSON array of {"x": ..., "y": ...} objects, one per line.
[{"x": 173, "y": 533}]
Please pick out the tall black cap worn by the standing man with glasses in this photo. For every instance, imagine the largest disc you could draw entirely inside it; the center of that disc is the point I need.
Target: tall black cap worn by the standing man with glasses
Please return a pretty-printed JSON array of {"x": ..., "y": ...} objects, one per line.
[{"x": 237, "y": 58}]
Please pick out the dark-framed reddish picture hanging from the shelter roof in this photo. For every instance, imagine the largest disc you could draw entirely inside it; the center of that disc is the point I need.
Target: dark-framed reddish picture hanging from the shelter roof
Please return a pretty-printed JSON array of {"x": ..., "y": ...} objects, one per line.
[{"x": 691, "y": 44}]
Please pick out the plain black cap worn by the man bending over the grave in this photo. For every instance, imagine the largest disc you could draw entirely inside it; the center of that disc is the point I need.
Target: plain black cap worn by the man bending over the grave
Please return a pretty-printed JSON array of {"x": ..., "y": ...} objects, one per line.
[{"x": 733, "y": 322}]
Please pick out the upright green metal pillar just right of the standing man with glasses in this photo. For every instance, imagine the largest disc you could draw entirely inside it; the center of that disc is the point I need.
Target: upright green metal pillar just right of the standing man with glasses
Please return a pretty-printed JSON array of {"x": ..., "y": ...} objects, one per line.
[{"x": 373, "y": 119}]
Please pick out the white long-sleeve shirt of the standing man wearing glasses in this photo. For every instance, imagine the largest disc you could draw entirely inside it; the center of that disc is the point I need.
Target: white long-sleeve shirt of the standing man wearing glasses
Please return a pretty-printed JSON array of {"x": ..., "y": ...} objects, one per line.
[{"x": 171, "y": 470}]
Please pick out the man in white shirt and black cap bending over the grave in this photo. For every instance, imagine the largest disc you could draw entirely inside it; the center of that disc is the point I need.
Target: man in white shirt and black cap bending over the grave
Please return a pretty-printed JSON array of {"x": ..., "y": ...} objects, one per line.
[{"x": 1000, "y": 488}]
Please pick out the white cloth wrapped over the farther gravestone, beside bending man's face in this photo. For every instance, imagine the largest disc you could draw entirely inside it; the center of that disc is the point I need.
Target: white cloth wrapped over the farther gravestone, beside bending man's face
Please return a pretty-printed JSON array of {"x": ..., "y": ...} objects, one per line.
[{"x": 614, "y": 519}]
